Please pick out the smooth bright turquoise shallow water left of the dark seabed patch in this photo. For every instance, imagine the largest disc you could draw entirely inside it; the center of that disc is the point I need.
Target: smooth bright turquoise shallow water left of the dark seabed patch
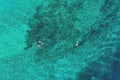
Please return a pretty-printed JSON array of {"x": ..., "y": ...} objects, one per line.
[{"x": 13, "y": 25}]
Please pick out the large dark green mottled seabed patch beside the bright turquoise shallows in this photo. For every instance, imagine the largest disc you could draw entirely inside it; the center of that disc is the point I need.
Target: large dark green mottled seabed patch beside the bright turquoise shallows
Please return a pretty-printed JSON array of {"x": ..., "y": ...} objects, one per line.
[{"x": 51, "y": 23}]
